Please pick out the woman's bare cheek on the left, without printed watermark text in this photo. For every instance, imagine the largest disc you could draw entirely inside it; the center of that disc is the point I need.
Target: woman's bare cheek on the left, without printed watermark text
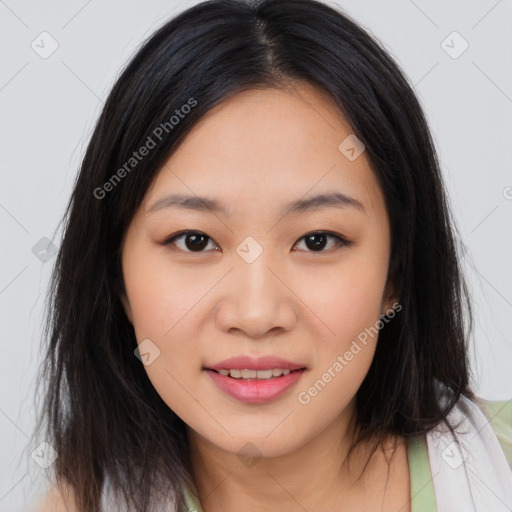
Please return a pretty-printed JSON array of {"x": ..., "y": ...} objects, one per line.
[{"x": 162, "y": 303}]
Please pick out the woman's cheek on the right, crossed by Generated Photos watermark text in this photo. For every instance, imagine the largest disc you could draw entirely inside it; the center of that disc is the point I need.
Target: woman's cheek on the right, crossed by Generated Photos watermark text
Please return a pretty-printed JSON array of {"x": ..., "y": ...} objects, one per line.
[{"x": 349, "y": 305}]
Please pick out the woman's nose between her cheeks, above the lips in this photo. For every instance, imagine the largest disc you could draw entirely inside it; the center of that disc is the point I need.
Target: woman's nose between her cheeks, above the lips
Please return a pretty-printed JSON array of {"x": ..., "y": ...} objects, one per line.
[{"x": 257, "y": 300}]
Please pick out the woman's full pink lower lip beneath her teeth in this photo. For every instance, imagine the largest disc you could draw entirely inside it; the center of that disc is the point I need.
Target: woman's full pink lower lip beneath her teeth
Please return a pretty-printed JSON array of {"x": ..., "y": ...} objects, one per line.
[{"x": 255, "y": 391}]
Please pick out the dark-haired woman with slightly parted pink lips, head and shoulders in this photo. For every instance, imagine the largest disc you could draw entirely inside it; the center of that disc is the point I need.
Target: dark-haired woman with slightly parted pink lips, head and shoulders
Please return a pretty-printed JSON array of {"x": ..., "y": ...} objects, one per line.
[{"x": 258, "y": 300}]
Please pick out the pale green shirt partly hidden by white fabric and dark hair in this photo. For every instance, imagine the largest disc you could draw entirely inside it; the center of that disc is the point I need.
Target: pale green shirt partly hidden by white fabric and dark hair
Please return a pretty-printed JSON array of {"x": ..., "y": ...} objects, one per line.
[{"x": 423, "y": 498}]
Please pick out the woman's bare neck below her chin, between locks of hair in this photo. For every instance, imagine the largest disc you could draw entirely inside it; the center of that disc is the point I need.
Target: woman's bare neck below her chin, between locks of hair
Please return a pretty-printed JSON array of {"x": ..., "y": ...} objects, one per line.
[{"x": 299, "y": 480}]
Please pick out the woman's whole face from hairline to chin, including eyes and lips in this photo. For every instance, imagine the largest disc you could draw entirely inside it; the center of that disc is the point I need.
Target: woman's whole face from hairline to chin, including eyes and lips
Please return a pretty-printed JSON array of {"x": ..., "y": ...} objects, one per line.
[{"x": 243, "y": 275}]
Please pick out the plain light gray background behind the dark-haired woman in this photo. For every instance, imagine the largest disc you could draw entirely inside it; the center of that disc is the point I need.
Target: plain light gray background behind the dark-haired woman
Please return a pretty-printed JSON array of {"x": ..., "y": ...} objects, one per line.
[{"x": 48, "y": 107}]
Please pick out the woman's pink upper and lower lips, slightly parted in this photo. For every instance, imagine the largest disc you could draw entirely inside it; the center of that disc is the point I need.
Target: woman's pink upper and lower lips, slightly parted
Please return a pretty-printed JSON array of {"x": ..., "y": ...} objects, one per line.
[{"x": 256, "y": 391}]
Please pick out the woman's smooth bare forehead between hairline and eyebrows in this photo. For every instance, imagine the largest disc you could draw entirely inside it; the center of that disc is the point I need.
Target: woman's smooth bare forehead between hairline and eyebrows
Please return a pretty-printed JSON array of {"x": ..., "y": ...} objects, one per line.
[{"x": 262, "y": 148}]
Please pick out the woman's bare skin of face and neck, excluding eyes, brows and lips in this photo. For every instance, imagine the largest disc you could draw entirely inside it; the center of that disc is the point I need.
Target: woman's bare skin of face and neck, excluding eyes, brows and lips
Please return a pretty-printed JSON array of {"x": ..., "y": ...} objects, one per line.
[{"x": 254, "y": 153}]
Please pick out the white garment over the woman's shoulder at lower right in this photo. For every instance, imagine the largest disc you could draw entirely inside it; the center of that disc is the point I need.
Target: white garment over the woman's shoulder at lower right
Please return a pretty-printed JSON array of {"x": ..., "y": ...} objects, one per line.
[{"x": 471, "y": 475}]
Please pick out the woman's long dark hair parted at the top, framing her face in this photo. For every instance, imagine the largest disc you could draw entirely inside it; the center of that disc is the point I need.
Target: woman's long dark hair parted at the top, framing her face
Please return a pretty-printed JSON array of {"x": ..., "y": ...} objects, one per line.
[{"x": 100, "y": 412}]
